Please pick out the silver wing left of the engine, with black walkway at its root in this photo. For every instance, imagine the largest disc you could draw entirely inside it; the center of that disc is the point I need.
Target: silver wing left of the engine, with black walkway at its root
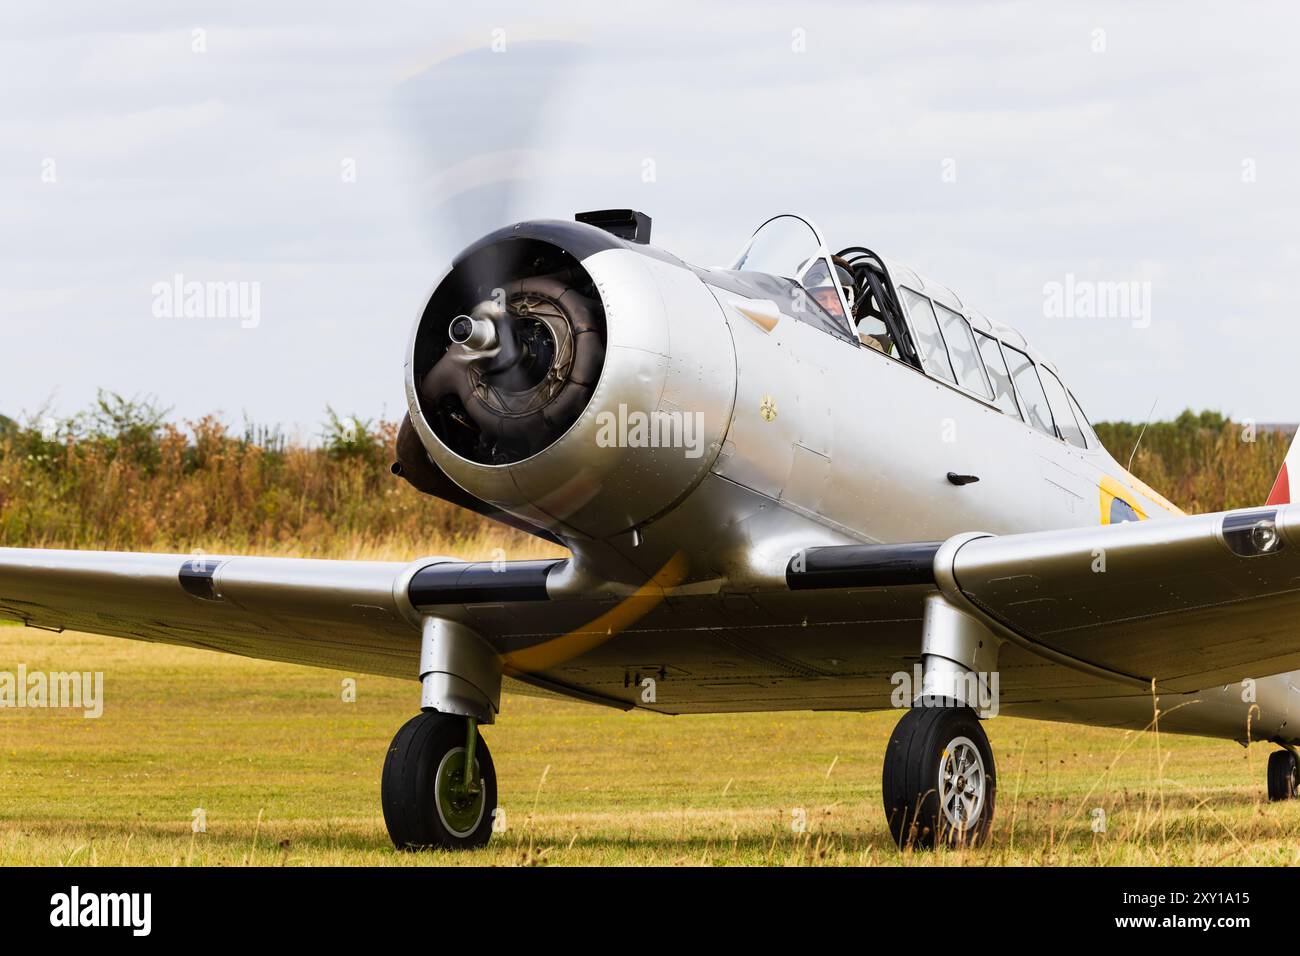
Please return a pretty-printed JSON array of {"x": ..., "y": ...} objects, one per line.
[{"x": 346, "y": 615}]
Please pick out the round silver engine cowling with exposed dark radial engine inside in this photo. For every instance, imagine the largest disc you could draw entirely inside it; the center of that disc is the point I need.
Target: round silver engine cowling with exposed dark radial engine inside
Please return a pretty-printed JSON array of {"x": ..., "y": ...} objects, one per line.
[{"x": 588, "y": 386}]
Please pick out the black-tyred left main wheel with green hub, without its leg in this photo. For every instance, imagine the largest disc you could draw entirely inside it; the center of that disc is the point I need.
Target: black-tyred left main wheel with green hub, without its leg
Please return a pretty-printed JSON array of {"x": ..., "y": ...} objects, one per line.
[{"x": 417, "y": 819}]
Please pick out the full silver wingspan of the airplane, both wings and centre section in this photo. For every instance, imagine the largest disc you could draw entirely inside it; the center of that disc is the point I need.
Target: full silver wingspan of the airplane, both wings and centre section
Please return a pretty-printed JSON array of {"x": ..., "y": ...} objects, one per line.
[{"x": 1191, "y": 603}]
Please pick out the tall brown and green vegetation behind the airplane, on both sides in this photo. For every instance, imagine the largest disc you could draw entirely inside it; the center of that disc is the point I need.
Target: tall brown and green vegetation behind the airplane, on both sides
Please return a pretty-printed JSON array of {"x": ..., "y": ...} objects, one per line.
[{"x": 123, "y": 477}]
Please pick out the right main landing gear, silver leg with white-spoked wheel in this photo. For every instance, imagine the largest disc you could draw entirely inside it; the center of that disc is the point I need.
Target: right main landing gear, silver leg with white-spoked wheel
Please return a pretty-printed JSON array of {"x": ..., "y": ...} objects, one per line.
[{"x": 941, "y": 781}]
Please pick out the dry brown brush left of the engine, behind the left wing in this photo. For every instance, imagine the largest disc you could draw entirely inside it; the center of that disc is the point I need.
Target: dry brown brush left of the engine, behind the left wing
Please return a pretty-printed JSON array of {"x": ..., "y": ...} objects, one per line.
[{"x": 124, "y": 479}]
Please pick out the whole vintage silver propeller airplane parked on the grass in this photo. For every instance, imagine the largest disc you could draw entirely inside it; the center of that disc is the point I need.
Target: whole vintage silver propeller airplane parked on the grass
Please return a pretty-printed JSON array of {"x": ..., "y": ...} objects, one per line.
[{"x": 790, "y": 485}]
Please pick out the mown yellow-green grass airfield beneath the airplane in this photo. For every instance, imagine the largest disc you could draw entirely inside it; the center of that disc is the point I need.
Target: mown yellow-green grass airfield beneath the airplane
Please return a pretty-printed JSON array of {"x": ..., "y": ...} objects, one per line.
[{"x": 287, "y": 773}]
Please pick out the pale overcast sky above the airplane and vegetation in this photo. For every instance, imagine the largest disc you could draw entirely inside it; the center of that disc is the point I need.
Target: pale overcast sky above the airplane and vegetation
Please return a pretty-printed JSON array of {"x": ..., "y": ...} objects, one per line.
[{"x": 291, "y": 148}]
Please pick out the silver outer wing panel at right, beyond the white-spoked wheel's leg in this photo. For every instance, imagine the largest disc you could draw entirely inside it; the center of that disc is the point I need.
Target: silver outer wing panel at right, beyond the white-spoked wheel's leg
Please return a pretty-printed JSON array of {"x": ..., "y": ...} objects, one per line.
[{"x": 1190, "y": 603}]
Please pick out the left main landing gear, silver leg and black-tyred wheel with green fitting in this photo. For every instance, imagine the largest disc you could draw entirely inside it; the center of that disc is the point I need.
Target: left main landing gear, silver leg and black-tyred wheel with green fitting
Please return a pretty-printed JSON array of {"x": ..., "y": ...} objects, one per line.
[{"x": 440, "y": 785}]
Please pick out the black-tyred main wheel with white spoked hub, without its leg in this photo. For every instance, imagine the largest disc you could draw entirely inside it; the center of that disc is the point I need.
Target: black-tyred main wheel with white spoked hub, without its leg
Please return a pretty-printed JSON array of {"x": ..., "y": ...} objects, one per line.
[{"x": 939, "y": 778}]
